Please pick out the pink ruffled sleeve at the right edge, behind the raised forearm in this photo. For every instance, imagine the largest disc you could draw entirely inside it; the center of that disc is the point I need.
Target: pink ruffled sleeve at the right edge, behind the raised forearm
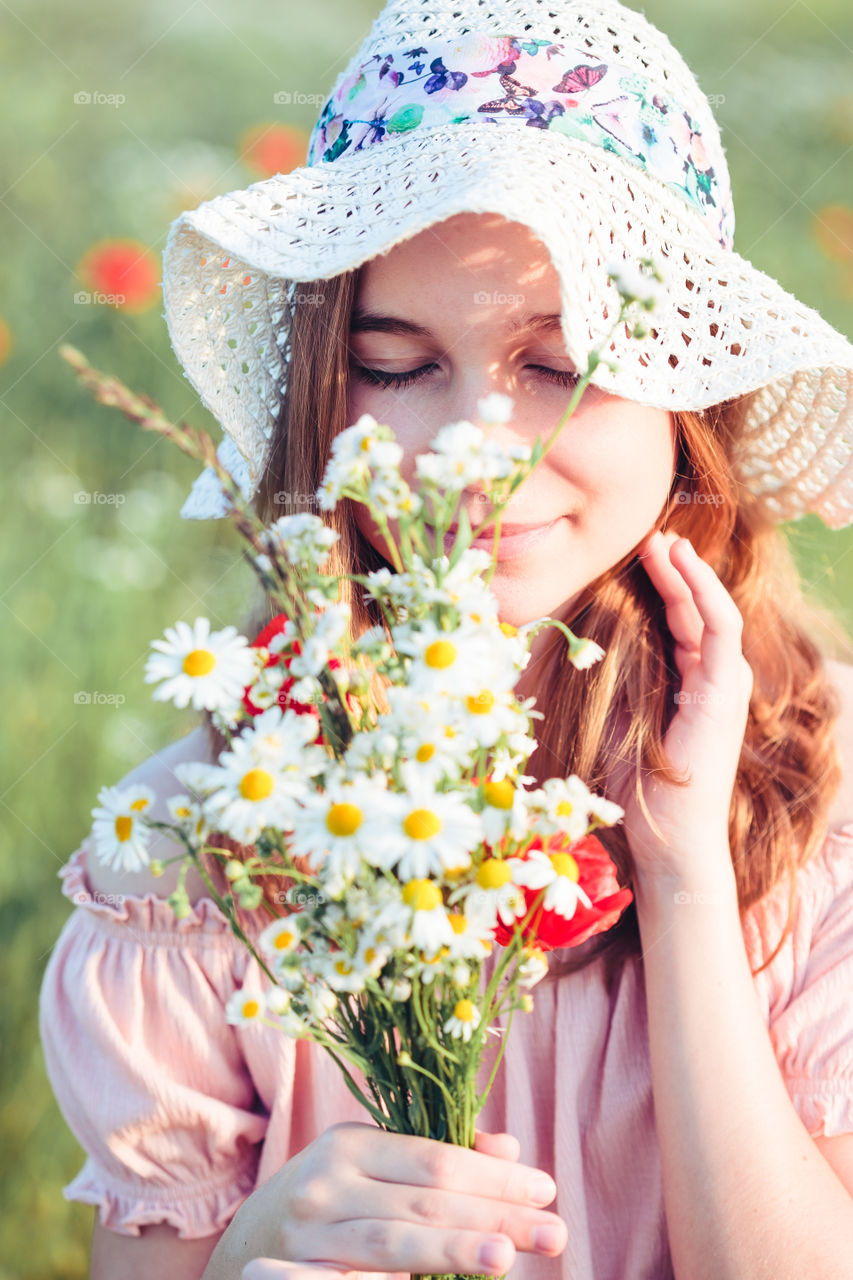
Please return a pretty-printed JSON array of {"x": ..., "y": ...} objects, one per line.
[{"x": 809, "y": 989}]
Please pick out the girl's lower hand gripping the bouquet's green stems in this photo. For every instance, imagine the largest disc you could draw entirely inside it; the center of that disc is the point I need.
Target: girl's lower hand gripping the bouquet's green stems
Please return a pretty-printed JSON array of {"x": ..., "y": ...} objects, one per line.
[{"x": 363, "y": 1200}]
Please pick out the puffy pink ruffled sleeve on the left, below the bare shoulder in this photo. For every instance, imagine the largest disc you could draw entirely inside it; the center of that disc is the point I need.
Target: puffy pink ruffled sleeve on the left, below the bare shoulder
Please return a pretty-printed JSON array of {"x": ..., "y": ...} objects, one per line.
[{"x": 147, "y": 1072}]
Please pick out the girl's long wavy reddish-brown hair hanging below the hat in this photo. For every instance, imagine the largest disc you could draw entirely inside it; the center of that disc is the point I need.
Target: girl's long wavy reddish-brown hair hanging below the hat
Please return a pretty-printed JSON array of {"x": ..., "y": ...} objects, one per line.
[{"x": 790, "y": 769}]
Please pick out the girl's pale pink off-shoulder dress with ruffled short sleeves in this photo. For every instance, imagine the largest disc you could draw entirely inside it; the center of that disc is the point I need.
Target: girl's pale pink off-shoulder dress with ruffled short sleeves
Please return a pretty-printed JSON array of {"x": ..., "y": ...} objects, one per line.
[{"x": 183, "y": 1116}]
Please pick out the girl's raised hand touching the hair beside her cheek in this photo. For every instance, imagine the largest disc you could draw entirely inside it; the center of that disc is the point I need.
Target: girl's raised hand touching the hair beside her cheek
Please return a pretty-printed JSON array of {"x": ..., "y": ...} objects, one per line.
[{"x": 705, "y": 738}]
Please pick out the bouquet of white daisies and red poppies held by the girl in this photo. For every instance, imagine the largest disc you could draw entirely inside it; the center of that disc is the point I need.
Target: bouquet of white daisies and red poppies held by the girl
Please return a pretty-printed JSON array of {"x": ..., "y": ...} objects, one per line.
[{"x": 421, "y": 858}]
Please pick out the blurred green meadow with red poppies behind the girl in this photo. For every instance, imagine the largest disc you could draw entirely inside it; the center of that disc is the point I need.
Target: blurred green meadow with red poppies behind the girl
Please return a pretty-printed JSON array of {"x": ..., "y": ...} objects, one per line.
[{"x": 86, "y": 586}]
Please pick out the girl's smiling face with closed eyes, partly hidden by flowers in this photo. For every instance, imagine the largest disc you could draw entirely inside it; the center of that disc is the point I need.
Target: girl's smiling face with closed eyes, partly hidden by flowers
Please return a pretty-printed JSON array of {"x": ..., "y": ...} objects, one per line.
[{"x": 464, "y": 294}]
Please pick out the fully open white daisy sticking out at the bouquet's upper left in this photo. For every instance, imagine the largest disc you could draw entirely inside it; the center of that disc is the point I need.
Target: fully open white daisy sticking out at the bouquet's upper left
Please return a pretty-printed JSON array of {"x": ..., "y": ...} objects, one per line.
[{"x": 209, "y": 669}]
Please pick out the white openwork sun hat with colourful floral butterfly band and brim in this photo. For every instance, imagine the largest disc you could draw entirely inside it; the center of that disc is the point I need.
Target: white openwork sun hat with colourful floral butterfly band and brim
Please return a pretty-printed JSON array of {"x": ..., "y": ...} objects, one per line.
[{"x": 578, "y": 120}]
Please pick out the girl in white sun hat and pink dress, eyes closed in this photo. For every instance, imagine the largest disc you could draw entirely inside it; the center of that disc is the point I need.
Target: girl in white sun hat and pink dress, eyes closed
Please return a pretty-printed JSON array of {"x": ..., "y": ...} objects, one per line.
[{"x": 681, "y": 1100}]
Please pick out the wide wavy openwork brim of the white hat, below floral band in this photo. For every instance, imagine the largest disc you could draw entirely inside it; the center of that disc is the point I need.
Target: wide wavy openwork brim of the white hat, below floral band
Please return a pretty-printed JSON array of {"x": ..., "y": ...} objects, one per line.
[{"x": 723, "y": 331}]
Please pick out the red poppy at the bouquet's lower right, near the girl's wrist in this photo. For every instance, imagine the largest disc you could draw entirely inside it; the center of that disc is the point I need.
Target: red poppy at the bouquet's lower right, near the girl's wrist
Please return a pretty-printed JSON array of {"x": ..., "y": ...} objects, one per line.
[{"x": 596, "y": 875}]
